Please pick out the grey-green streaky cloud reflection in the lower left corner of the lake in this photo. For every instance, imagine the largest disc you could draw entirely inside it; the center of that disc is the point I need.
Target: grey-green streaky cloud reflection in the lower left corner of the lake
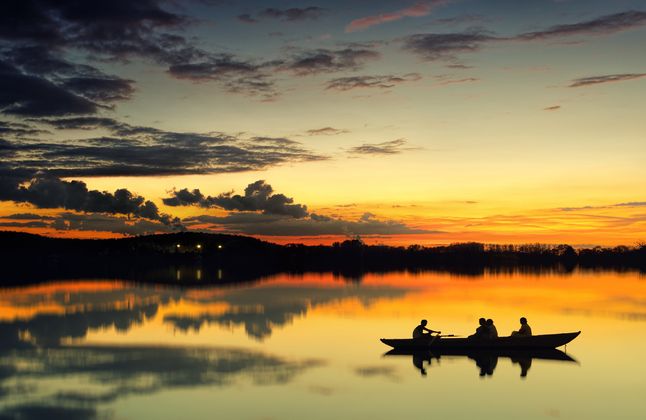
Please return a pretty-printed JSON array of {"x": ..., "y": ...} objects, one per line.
[{"x": 100, "y": 375}]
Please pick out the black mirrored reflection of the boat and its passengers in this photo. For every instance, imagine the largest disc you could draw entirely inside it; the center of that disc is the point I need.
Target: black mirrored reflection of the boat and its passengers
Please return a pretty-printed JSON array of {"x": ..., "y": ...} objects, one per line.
[{"x": 485, "y": 360}]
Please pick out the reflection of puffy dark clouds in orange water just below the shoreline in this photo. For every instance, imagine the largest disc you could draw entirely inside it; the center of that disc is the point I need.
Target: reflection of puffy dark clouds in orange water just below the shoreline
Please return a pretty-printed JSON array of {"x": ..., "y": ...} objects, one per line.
[{"x": 259, "y": 309}]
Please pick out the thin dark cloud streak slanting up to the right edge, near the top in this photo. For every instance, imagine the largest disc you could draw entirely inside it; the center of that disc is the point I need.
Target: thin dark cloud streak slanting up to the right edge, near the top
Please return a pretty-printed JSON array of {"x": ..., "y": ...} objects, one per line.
[{"x": 602, "y": 25}]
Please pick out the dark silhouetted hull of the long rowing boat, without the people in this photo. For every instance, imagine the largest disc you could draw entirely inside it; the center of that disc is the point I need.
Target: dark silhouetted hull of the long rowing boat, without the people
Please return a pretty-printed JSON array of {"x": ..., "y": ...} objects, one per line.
[{"x": 544, "y": 341}]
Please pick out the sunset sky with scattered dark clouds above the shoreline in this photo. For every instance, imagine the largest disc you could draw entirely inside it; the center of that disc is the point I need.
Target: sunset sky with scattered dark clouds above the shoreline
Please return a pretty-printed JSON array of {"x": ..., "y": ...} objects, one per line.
[{"x": 401, "y": 122}]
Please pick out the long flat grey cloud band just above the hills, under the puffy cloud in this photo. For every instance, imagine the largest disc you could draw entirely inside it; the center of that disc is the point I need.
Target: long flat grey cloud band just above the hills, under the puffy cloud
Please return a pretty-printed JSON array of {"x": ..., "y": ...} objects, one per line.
[{"x": 274, "y": 225}]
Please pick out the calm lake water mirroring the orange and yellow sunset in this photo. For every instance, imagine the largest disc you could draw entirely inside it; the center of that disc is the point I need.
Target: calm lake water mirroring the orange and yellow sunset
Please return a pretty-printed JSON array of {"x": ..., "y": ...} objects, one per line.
[{"x": 307, "y": 346}]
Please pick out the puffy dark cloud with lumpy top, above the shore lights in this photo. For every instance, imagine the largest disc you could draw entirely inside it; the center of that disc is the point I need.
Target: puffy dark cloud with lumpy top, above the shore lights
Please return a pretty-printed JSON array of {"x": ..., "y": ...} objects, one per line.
[{"x": 258, "y": 196}]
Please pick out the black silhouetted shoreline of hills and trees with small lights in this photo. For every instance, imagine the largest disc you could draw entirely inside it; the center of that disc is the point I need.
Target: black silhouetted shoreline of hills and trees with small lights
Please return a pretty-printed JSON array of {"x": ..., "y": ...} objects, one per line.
[{"x": 191, "y": 257}]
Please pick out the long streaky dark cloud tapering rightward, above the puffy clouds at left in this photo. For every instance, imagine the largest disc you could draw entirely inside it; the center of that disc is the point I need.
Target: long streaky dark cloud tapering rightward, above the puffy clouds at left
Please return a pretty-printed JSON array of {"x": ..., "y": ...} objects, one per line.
[{"x": 137, "y": 150}]
